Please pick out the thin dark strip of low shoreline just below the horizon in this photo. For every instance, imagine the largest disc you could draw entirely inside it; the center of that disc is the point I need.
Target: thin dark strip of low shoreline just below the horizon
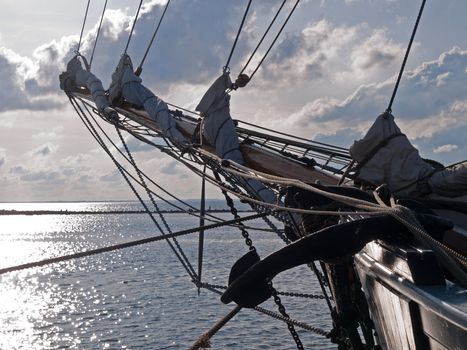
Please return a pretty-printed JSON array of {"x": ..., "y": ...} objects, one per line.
[{"x": 109, "y": 212}]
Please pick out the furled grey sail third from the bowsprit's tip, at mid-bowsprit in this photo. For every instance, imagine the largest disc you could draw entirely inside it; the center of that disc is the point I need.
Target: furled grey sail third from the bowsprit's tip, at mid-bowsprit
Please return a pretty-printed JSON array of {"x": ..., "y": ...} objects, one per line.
[{"x": 218, "y": 129}]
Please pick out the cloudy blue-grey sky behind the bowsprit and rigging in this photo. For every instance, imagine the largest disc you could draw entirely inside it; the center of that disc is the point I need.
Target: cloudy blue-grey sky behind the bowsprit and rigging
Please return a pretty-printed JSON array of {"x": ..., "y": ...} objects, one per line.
[{"x": 328, "y": 77}]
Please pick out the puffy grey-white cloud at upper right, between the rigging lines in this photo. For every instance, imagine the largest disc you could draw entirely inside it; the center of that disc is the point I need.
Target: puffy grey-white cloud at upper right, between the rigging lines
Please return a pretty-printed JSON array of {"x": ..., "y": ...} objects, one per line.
[{"x": 337, "y": 52}]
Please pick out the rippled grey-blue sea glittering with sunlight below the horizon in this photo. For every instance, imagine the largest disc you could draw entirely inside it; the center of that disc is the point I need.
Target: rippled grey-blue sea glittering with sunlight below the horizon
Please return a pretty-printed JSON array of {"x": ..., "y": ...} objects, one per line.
[{"x": 135, "y": 298}]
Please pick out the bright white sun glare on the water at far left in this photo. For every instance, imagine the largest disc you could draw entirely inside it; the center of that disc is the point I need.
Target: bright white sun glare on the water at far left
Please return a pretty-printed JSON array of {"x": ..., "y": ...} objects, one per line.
[{"x": 28, "y": 298}]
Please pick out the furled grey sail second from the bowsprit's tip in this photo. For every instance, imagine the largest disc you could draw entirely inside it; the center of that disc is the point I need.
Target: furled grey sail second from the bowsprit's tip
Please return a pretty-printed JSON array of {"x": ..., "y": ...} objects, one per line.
[{"x": 130, "y": 86}]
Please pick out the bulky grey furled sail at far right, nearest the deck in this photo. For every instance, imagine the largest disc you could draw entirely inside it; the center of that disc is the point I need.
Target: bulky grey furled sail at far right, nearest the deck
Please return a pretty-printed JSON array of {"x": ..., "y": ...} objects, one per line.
[{"x": 387, "y": 157}]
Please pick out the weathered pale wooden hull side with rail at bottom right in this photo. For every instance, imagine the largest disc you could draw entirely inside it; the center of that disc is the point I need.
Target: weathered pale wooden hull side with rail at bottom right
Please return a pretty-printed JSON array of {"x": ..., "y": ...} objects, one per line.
[{"x": 411, "y": 304}]
